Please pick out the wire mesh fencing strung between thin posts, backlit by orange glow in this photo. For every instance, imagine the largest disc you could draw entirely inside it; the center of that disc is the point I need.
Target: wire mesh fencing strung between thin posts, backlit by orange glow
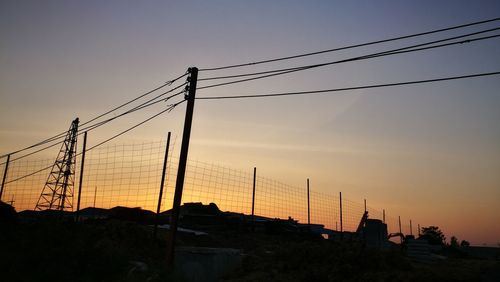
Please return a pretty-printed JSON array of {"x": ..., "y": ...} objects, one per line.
[{"x": 129, "y": 175}]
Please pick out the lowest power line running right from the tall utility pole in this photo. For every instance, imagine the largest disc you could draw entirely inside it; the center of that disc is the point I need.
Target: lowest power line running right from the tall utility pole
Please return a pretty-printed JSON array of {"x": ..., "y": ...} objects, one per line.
[{"x": 348, "y": 88}]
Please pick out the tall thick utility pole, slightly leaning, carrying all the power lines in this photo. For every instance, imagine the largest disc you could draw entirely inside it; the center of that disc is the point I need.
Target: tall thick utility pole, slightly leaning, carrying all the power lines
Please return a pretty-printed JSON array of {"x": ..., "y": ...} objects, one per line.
[{"x": 181, "y": 172}]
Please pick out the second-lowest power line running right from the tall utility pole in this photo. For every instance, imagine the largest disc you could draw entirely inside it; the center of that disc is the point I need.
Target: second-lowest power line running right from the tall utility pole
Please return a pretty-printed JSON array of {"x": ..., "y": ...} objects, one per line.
[{"x": 370, "y": 56}]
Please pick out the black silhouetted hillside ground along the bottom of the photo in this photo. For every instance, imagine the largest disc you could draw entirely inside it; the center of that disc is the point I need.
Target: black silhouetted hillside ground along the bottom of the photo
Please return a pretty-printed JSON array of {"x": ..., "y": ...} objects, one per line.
[{"x": 122, "y": 248}]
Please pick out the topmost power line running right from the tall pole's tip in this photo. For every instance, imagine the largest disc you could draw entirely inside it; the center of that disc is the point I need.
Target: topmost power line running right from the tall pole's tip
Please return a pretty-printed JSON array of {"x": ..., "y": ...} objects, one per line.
[{"x": 349, "y": 47}]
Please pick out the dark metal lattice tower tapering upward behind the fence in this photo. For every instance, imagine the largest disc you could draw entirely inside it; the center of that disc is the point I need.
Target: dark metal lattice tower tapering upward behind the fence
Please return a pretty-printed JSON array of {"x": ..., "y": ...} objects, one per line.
[{"x": 57, "y": 194}]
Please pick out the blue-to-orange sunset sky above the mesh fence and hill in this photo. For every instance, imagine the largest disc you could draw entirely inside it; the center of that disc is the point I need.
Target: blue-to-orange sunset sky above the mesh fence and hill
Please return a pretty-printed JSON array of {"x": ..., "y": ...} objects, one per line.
[{"x": 427, "y": 151}]
